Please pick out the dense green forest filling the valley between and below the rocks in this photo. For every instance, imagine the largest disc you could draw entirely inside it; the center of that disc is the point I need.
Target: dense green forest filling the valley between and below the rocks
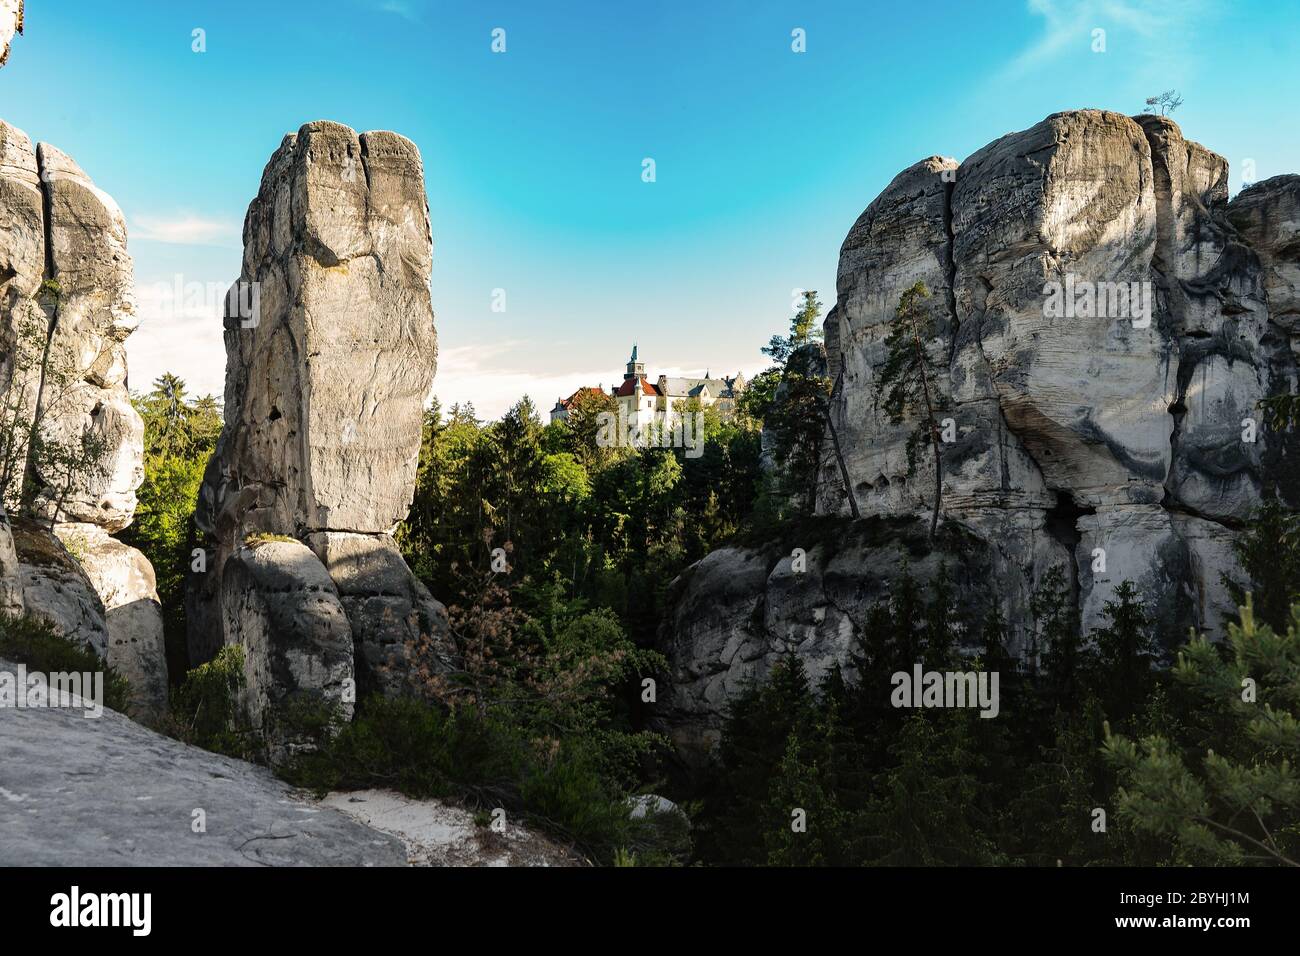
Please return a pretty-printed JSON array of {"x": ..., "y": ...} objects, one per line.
[{"x": 1108, "y": 751}]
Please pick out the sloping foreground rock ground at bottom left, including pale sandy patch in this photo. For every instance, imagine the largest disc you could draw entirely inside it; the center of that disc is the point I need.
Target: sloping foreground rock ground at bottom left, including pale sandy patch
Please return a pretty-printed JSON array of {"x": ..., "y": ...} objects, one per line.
[{"x": 107, "y": 791}]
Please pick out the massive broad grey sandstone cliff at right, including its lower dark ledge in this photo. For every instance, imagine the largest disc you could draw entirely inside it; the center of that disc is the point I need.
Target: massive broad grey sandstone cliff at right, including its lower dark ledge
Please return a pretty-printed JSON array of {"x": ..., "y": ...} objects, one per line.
[{"x": 1107, "y": 422}]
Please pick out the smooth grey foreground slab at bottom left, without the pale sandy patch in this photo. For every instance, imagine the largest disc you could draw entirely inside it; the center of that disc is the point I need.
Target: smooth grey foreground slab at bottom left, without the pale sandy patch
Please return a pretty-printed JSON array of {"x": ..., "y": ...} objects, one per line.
[{"x": 110, "y": 793}]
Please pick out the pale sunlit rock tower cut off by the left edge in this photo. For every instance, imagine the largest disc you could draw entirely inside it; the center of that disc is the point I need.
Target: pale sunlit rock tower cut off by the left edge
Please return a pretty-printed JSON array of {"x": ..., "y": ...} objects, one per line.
[{"x": 66, "y": 283}]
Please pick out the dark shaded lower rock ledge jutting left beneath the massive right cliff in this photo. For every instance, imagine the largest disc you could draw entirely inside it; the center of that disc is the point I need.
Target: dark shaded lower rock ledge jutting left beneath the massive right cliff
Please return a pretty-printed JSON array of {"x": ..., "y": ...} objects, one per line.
[{"x": 735, "y": 613}]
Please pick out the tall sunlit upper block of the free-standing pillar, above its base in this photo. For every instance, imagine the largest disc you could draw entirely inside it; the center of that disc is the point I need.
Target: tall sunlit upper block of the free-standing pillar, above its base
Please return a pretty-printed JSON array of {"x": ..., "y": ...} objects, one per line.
[{"x": 326, "y": 386}]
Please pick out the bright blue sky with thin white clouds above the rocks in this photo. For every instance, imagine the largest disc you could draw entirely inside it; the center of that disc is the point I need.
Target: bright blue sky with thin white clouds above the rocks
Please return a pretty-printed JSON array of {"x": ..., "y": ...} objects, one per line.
[{"x": 534, "y": 157}]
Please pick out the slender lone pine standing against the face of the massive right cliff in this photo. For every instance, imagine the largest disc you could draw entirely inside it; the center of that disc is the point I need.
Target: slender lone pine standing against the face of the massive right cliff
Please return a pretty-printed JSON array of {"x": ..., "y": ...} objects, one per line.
[{"x": 908, "y": 383}]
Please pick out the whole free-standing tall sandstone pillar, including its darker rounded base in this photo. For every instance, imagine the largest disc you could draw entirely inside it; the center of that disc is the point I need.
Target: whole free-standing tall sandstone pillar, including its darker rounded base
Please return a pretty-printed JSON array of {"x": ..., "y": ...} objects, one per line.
[{"x": 331, "y": 354}]
